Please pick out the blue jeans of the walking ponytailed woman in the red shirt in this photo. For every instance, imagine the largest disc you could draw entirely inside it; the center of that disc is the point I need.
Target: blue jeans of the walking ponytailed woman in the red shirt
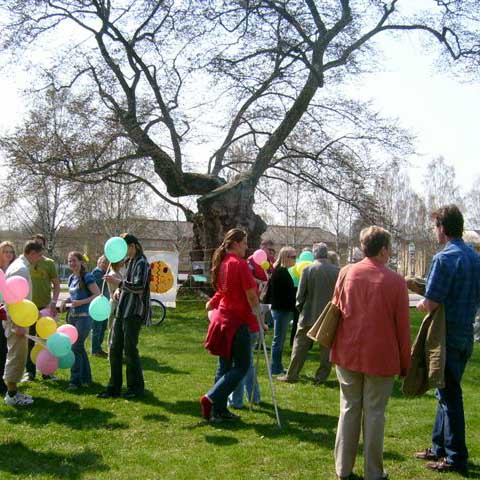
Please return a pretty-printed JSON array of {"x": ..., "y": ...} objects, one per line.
[{"x": 230, "y": 371}]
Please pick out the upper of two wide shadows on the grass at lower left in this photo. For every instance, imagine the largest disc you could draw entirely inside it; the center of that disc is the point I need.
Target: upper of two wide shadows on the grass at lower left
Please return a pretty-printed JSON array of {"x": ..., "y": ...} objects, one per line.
[{"x": 45, "y": 411}]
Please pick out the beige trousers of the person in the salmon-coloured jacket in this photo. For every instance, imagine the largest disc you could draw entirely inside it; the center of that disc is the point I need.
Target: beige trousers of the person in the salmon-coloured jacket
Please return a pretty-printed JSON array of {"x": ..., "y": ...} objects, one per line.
[{"x": 363, "y": 399}]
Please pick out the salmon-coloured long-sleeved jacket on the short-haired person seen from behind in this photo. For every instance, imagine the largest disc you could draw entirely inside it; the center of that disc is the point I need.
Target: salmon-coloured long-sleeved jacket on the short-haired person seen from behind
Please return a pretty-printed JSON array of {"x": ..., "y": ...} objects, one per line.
[{"x": 373, "y": 335}]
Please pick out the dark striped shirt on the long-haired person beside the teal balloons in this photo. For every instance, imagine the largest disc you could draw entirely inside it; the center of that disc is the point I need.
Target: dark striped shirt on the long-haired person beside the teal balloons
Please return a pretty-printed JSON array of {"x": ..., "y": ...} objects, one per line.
[{"x": 135, "y": 290}]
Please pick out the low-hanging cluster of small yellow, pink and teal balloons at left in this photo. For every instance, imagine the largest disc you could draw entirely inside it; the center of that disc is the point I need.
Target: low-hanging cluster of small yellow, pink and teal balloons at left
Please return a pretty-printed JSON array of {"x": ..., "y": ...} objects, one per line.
[{"x": 56, "y": 350}]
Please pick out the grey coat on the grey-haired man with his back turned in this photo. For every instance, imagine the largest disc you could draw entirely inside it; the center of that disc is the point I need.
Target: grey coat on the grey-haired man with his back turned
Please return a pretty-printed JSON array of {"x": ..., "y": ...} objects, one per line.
[{"x": 315, "y": 290}]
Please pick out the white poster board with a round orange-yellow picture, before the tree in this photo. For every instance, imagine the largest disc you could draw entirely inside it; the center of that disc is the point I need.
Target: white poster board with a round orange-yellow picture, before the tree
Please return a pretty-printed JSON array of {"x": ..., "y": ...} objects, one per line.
[{"x": 164, "y": 284}]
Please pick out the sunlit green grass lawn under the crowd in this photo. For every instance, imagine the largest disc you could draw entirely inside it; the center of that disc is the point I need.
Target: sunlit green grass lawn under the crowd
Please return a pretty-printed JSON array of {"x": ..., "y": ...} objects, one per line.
[{"x": 77, "y": 436}]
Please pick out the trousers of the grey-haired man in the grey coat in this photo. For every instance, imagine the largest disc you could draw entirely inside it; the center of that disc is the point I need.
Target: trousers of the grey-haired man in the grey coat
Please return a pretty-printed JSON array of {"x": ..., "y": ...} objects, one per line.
[{"x": 301, "y": 346}]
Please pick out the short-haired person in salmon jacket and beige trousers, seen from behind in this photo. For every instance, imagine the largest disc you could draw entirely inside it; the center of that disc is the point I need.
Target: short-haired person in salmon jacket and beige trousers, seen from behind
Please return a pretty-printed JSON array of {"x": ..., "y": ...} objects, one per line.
[{"x": 371, "y": 346}]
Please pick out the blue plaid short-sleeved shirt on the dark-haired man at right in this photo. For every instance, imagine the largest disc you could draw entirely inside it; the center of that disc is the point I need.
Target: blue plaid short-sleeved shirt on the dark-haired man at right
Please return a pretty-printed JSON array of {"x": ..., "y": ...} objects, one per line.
[{"x": 454, "y": 280}]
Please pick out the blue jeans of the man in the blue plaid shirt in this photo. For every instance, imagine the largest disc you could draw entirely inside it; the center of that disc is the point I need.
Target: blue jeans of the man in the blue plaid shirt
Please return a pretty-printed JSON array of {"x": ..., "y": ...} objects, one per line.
[{"x": 448, "y": 437}]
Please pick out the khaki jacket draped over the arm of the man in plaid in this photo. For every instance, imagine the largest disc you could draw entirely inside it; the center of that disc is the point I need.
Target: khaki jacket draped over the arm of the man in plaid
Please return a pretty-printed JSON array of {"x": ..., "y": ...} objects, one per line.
[{"x": 428, "y": 356}]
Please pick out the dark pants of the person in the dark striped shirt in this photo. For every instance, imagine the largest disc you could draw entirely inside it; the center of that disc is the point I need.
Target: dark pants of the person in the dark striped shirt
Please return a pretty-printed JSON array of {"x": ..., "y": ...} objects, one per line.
[{"x": 125, "y": 338}]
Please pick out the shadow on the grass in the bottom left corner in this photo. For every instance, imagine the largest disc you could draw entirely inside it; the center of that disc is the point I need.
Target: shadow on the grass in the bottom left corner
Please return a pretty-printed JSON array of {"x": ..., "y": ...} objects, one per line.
[{"x": 19, "y": 459}]
